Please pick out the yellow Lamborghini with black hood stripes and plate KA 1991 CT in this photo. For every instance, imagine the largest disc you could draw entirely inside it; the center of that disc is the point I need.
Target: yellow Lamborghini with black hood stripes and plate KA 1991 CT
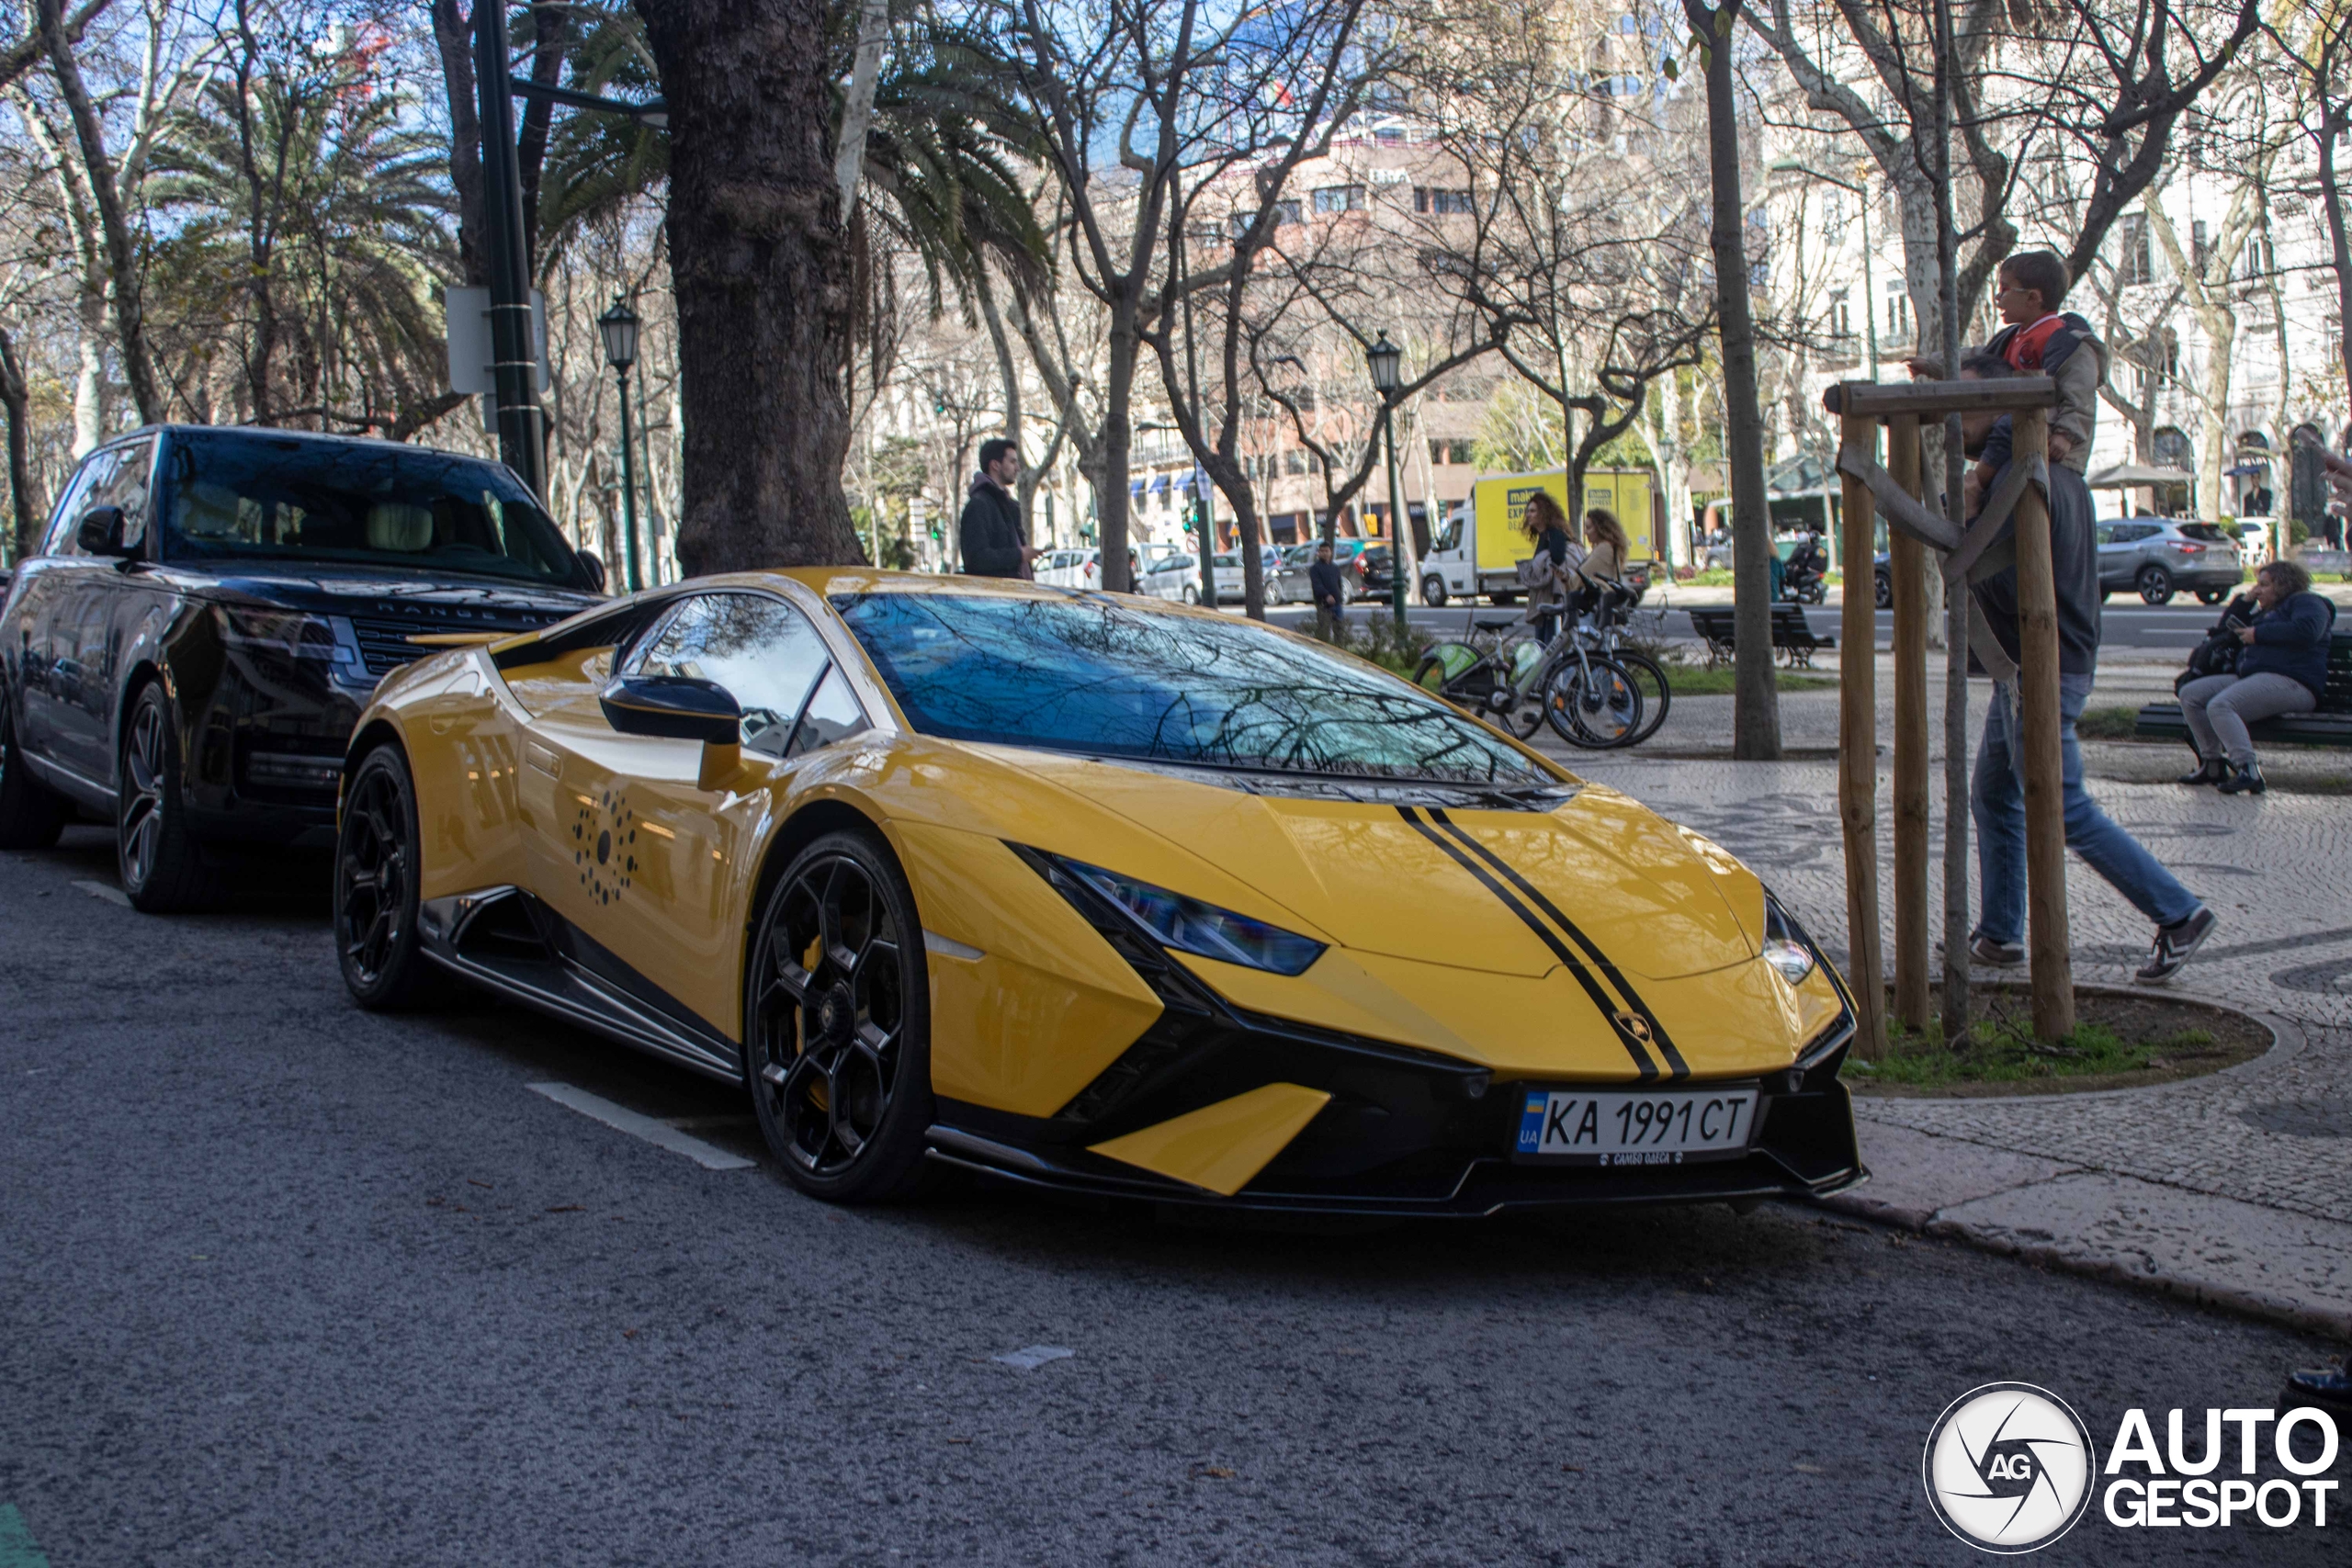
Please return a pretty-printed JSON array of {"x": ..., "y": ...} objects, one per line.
[{"x": 1088, "y": 892}]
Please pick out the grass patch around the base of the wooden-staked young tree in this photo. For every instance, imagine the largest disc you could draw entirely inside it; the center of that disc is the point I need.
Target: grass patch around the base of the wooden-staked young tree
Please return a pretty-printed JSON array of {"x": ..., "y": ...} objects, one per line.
[{"x": 2118, "y": 1043}]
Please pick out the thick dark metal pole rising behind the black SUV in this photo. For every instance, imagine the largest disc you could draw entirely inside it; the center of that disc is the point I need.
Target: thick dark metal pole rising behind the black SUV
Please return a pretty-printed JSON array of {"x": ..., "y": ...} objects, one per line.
[{"x": 512, "y": 340}]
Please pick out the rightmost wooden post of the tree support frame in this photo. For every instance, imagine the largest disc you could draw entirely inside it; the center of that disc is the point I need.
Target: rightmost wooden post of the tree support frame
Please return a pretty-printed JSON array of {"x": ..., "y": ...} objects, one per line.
[{"x": 2040, "y": 746}]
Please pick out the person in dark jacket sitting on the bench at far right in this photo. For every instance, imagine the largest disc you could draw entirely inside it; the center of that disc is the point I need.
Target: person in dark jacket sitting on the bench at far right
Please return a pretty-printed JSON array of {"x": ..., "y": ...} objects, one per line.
[{"x": 2280, "y": 669}]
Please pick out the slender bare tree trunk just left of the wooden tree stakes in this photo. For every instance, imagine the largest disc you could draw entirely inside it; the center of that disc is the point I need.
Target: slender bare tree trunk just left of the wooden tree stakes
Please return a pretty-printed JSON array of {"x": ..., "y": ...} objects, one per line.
[{"x": 1756, "y": 704}]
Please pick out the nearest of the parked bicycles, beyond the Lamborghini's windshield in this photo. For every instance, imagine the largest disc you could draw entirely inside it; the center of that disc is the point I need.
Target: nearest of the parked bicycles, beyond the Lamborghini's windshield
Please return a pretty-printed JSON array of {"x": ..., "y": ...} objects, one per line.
[{"x": 1518, "y": 685}]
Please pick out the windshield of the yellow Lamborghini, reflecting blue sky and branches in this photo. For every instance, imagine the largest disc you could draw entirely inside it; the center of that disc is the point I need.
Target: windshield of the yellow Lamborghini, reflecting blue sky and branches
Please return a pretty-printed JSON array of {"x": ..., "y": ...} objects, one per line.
[{"x": 1109, "y": 681}]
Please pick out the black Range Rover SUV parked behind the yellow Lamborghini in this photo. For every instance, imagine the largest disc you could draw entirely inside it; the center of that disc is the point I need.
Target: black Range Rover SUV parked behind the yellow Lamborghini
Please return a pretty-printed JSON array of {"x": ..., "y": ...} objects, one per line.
[{"x": 211, "y": 612}]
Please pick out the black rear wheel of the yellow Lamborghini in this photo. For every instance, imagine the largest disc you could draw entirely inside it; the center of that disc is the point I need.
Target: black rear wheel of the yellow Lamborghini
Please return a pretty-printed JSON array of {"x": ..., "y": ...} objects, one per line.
[{"x": 375, "y": 890}]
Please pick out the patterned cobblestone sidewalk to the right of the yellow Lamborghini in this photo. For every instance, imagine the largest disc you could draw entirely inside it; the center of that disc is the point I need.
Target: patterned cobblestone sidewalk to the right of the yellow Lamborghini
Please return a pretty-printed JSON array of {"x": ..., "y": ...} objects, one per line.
[{"x": 2233, "y": 1188}]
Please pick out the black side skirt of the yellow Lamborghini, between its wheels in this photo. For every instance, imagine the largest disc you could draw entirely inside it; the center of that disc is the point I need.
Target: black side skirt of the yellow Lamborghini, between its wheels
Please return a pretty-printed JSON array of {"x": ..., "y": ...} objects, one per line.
[{"x": 500, "y": 942}]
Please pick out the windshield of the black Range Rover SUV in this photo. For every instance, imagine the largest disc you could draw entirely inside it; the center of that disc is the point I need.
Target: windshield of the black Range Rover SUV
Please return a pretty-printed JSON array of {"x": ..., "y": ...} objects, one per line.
[{"x": 253, "y": 497}]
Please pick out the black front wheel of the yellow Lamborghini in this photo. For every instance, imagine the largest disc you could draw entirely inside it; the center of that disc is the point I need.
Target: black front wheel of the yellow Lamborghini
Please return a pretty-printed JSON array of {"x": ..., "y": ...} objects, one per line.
[{"x": 838, "y": 1043}]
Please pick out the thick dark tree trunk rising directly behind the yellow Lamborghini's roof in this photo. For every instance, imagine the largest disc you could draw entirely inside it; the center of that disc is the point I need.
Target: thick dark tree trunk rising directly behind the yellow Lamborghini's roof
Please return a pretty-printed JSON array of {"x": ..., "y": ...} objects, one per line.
[{"x": 761, "y": 272}]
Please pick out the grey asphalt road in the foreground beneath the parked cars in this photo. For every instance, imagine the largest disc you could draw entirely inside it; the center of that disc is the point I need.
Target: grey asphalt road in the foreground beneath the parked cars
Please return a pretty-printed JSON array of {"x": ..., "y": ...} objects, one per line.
[{"x": 295, "y": 1285}]
